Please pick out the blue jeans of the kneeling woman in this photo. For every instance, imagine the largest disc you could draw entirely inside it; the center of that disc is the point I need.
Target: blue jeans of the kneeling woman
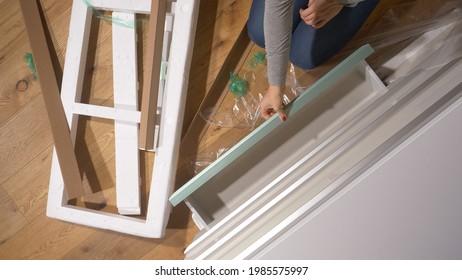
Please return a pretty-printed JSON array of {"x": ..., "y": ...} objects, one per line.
[{"x": 311, "y": 47}]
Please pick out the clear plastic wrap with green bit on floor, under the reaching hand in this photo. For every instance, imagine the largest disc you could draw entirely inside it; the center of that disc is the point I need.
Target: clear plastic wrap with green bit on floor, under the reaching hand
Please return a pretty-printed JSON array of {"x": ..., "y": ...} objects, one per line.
[{"x": 240, "y": 109}]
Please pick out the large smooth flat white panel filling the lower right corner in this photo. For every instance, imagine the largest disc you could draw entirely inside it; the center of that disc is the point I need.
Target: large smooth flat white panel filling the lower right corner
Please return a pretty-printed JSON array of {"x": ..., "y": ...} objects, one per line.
[{"x": 406, "y": 207}]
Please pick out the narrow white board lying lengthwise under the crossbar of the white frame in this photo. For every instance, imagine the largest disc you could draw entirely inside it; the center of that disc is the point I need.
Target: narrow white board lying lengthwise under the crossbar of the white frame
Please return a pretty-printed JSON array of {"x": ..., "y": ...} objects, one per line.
[{"x": 126, "y": 133}]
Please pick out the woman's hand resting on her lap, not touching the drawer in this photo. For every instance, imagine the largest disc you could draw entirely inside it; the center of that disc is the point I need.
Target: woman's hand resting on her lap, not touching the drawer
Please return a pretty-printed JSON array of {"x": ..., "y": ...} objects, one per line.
[{"x": 319, "y": 12}]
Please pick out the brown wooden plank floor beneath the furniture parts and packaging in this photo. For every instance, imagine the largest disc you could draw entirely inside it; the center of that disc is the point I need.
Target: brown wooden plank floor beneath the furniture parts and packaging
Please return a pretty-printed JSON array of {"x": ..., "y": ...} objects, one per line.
[{"x": 26, "y": 143}]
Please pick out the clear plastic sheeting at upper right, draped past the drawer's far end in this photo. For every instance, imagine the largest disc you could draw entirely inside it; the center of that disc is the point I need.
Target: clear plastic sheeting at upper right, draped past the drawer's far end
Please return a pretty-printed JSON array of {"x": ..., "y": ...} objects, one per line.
[{"x": 401, "y": 30}]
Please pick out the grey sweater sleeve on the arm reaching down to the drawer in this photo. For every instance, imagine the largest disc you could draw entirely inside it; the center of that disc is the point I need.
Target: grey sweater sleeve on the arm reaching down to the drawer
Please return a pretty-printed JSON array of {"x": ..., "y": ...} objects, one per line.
[{"x": 277, "y": 24}]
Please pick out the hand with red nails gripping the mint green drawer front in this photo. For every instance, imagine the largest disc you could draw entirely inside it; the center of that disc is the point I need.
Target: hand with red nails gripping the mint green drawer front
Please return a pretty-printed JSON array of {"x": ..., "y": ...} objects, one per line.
[{"x": 272, "y": 103}]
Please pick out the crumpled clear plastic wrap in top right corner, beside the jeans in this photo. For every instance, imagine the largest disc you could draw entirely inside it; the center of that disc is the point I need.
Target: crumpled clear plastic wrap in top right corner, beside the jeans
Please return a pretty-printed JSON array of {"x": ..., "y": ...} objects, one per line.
[{"x": 430, "y": 32}]
